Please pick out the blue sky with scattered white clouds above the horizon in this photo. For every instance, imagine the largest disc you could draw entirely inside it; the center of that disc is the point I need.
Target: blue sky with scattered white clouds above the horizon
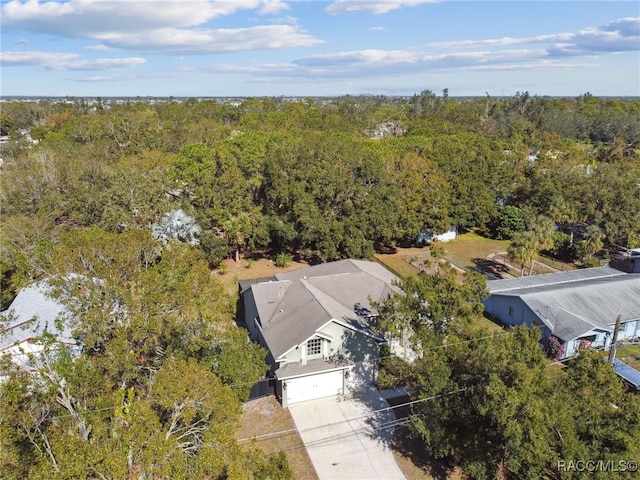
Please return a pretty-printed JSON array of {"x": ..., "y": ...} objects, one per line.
[{"x": 315, "y": 48}]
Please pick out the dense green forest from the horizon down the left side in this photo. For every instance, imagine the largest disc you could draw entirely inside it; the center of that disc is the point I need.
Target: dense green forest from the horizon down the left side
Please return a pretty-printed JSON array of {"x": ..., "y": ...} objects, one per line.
[{"x": 149, "y": 196}]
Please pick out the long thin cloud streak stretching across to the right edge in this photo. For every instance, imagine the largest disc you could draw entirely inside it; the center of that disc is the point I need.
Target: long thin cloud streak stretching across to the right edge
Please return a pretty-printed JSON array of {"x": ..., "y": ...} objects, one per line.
[{"x": 541, "y": 53}]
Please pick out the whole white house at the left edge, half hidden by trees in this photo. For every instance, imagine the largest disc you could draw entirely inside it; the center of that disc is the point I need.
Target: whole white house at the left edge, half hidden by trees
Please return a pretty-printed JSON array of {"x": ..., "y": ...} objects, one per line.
[{"x": 32, "y": 314}]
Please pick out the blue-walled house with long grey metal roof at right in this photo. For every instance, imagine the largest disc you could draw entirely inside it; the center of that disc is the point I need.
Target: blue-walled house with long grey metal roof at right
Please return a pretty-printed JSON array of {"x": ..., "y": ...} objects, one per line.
[{"x": 578, "y": 307}]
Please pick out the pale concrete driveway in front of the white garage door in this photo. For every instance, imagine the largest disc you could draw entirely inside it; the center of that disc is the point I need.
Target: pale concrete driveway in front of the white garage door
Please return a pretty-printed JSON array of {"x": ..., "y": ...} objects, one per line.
[{"x": 347, "y": 438}]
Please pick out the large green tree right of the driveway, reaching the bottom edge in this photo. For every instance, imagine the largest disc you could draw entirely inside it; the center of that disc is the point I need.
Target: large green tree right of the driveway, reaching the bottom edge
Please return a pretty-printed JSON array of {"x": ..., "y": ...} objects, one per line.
[{"x": 490, "y": 416}]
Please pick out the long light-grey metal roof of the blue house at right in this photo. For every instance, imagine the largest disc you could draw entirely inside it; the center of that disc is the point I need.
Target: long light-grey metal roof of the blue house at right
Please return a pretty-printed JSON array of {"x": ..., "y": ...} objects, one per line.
[{"x": 574, "y": 303}]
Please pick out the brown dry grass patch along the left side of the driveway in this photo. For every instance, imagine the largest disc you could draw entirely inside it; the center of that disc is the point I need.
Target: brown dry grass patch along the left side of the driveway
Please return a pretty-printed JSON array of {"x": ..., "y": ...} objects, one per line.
[{"x": 270, "y": 427}]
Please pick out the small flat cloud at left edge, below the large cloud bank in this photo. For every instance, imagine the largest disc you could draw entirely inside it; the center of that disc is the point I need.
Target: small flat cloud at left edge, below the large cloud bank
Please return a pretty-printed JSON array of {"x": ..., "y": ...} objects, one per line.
[{"x": 65, "y": 61}]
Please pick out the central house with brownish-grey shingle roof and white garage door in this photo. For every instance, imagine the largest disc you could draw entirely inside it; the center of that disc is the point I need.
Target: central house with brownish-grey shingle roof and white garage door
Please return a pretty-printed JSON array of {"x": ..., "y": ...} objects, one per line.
[{"x": 316, "y": 324}]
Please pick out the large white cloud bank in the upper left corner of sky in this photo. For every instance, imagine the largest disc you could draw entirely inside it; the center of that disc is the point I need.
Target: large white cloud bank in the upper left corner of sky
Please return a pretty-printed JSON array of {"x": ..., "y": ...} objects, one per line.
[{"x": 153, "y": 26}]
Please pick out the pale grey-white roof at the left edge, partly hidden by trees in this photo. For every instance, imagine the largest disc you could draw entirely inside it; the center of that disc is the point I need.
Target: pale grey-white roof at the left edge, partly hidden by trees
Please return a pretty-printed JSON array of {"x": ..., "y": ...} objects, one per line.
[{"x": 33, "y": 313}]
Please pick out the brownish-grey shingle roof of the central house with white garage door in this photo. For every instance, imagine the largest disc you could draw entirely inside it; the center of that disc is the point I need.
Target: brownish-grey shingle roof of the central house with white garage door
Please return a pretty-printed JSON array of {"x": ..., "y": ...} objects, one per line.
[{"x": 297, "y": 304}]
